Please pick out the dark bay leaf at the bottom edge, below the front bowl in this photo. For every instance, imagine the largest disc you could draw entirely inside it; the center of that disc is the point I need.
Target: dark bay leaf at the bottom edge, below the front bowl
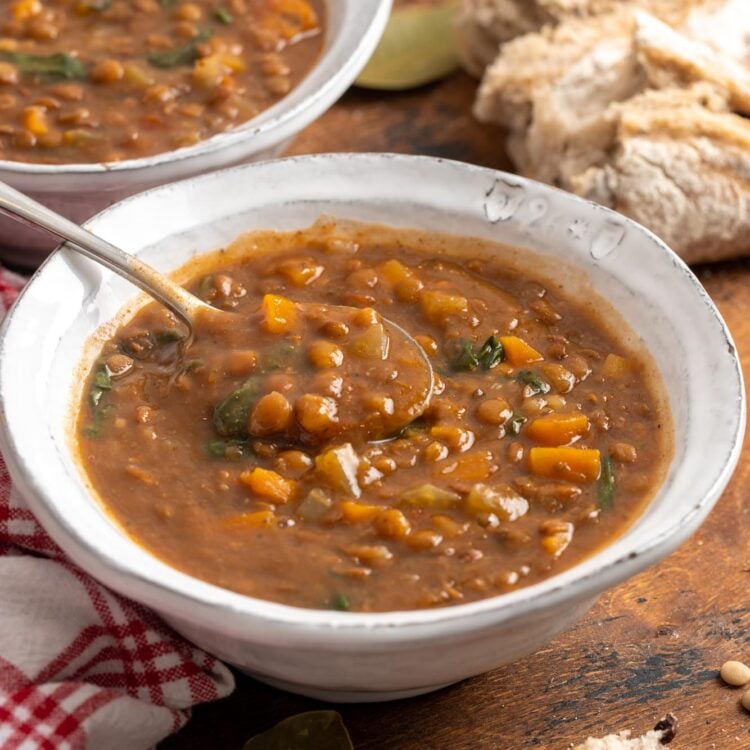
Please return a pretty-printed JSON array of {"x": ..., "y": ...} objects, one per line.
[{"x": 313, "y": 730}]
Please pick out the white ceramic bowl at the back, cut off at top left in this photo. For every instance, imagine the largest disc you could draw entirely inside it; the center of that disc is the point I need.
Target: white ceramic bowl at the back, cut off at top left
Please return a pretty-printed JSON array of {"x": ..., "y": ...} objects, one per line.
[{"x": 78, "y": 191}]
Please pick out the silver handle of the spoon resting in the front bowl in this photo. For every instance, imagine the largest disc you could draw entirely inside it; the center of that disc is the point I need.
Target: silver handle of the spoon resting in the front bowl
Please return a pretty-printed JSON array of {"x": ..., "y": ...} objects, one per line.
[{"x": 172, "y": 295}]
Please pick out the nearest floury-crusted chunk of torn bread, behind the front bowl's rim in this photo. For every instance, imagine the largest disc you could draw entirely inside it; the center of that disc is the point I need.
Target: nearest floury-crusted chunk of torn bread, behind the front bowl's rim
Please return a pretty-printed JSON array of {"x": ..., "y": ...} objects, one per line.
[{"x": 680, "y": 165}]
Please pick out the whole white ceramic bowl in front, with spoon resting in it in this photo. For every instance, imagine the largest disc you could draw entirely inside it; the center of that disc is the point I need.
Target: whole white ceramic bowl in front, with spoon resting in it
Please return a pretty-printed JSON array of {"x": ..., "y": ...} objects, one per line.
[{"x": 354, "y": 656}]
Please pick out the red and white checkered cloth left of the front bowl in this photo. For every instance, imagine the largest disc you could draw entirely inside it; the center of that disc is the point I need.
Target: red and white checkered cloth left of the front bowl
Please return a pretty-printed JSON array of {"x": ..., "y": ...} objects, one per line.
[{"x": 80, "y": 666}]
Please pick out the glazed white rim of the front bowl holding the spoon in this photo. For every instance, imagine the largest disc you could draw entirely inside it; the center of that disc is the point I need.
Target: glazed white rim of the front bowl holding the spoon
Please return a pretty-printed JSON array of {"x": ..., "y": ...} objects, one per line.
[{"x": 401, "y": 625}]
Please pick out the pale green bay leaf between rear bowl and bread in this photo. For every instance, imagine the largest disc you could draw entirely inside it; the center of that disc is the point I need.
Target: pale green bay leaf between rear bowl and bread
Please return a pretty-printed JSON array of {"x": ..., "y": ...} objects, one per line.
[{"x": 417, "y": 47}]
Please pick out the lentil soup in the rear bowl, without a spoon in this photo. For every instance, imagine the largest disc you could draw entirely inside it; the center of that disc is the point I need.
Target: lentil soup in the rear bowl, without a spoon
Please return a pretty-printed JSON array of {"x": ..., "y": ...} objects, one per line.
[{"x": 86, "y": 81}]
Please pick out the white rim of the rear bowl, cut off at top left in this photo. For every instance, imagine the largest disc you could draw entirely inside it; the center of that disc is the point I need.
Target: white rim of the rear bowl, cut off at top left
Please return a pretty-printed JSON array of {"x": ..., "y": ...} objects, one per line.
[{"x": 365, "y": 19}]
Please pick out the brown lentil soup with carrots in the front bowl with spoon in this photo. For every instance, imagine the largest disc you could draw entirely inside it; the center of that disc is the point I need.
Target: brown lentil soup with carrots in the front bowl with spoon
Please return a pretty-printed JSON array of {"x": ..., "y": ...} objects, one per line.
[{"x": 546, "y": 435}]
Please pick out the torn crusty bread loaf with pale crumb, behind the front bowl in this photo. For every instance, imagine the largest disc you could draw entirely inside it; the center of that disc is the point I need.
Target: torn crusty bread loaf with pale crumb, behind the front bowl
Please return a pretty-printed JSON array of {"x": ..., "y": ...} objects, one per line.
[{"x": 627, "y": 111}]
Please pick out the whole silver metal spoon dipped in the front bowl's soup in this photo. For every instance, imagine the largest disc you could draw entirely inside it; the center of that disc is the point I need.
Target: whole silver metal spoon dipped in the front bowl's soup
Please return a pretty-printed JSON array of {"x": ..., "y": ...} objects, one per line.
[{"x": 184, "y": 305}]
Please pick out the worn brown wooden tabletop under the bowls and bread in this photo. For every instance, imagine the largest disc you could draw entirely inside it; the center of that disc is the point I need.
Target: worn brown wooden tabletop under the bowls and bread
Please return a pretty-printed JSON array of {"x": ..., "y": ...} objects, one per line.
[{"x": 650, "y": 646}]
